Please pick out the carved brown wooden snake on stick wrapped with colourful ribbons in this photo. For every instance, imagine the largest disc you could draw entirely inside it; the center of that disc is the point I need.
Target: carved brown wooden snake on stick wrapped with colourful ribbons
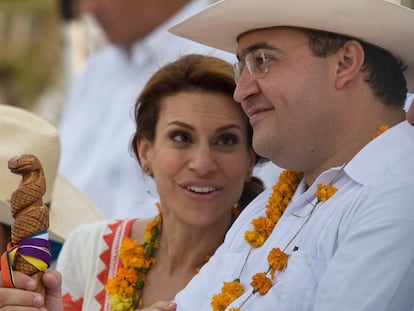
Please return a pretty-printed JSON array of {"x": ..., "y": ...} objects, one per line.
[{"x": 30, "y": 215}]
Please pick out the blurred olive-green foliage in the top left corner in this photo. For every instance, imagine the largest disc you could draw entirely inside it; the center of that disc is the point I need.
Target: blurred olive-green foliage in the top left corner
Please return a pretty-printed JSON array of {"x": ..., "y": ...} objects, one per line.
[{"x": 30, "y": 49}]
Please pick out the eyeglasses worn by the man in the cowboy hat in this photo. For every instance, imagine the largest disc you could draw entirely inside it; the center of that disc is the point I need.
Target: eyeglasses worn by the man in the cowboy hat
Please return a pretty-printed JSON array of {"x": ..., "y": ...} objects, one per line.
[{"x": 257, "y": 65}]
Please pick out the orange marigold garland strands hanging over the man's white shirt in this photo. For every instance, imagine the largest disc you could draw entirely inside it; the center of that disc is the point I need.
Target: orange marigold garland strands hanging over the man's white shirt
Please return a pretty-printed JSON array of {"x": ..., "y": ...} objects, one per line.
[{"x": 263, "y": 226}]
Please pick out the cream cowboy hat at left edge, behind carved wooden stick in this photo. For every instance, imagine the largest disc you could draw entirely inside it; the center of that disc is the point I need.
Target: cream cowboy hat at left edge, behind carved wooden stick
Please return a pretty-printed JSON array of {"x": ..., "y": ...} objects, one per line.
[{"x": 23, "y": 132}]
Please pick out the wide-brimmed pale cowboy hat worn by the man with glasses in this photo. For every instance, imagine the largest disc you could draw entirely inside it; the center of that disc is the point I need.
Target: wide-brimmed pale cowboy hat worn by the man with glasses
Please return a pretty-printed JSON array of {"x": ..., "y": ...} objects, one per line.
[{"x": 387, "y": 24}]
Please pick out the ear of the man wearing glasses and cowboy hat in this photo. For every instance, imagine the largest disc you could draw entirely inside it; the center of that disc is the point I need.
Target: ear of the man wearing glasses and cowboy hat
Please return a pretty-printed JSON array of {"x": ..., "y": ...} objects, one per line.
[{"x": 350, "y": 59}]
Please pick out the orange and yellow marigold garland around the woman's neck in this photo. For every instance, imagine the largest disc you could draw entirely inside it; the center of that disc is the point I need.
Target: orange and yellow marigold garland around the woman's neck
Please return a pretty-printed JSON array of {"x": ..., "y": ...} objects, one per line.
[{"x": 125, "y": 289}]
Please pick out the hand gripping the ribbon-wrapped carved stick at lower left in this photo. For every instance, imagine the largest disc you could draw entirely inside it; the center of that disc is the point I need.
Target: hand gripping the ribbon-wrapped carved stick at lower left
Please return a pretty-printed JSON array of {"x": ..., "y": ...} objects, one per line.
[{"x": 24, "y": 296}]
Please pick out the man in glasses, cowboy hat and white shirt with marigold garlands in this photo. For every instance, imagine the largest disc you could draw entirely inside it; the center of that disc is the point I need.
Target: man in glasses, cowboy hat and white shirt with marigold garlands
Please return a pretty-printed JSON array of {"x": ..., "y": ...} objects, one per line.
[{"x": 323, "y": 84}]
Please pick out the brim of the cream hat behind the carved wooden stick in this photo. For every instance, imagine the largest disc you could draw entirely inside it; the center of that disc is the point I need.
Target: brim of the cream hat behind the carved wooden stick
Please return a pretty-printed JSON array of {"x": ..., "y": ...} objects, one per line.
[{"x": 69, "y": 208}]
